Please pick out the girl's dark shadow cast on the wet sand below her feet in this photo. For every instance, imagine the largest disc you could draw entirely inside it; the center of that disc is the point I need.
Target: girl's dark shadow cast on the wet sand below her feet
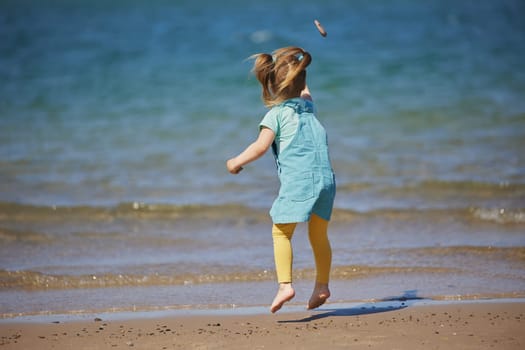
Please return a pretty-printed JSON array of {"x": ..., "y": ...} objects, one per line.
[{"x": 384, "y": 305}]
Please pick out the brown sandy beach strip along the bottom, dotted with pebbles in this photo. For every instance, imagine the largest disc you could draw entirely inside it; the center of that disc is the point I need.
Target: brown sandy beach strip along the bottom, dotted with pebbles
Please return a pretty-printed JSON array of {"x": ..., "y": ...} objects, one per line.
[{"x": 464, "y": 325}]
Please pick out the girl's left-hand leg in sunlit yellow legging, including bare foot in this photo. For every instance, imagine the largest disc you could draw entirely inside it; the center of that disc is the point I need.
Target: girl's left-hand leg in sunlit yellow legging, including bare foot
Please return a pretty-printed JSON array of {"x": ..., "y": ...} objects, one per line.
[{"x": 283, "y": 255}]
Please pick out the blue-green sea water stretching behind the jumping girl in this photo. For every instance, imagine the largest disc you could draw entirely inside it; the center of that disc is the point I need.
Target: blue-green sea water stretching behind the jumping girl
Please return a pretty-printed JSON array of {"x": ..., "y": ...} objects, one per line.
[{"x": 116, "y": 120}]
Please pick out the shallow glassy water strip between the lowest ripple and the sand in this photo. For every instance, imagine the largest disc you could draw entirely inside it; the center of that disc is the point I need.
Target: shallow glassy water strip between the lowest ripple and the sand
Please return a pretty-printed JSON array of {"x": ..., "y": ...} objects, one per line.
[{"x": 242, "y": 297}]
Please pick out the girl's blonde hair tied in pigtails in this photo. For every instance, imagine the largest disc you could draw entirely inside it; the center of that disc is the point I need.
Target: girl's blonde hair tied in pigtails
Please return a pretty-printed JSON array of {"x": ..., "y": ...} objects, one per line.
[{"x": 281, "y": 74}]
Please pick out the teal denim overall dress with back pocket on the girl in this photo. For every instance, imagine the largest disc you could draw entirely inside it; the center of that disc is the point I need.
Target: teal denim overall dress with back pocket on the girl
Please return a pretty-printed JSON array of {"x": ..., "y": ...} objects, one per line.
[{"x": 304, "y": 169}]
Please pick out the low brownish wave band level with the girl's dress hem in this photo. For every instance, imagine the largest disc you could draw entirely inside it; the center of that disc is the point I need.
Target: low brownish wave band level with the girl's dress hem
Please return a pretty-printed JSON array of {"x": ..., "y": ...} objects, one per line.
[{"x": 231, "y": 212}]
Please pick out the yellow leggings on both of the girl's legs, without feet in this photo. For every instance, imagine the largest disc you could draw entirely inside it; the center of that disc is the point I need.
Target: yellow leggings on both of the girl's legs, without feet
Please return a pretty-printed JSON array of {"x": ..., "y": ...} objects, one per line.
[{"x": 282, "y": 249}]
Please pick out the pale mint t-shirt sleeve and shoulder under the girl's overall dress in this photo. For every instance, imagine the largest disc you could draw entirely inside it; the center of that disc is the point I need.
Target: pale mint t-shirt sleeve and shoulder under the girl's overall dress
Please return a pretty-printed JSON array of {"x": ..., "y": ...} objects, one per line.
[{"x": 283, "y": 122}]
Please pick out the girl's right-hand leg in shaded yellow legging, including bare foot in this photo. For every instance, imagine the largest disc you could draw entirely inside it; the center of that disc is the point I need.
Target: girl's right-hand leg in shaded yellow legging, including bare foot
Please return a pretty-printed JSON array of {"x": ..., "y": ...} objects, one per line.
[{"x": 318, "y": 235}]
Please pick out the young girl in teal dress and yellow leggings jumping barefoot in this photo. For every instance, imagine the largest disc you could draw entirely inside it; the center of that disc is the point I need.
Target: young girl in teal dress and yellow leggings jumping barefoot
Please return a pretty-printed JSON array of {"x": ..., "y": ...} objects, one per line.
[{"x": 299, "y": 144}]
